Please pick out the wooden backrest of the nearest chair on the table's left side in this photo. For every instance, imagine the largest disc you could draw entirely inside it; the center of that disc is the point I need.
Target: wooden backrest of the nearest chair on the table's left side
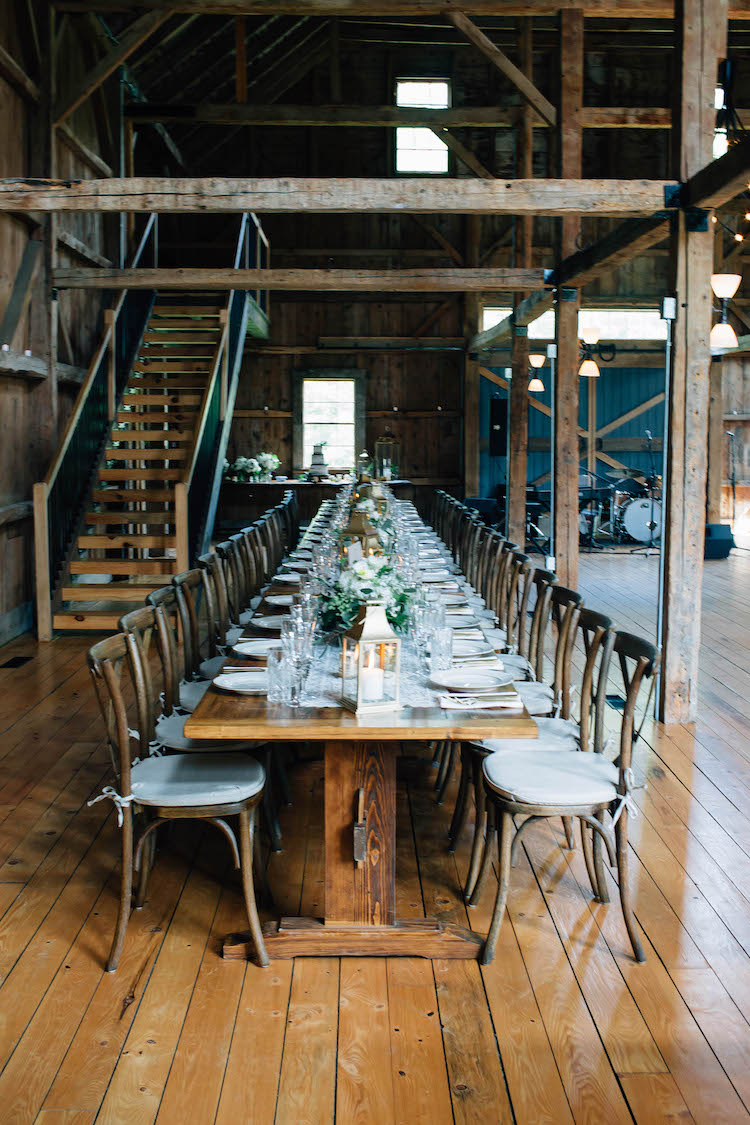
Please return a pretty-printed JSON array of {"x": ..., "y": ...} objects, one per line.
[{"x": 111, "y": 661}]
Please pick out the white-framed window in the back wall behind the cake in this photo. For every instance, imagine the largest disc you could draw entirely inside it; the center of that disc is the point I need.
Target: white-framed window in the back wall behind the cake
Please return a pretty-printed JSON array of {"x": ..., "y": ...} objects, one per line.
[{"x": 330, "y": 408}]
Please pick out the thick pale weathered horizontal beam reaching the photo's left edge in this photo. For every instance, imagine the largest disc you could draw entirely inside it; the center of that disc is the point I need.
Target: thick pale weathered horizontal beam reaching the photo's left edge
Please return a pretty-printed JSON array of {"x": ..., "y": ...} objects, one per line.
[{"x": 419, "y": 195}]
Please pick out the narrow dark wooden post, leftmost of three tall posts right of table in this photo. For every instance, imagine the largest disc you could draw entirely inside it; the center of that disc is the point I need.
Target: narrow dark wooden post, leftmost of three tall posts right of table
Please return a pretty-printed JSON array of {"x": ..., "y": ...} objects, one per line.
[{"x": 519, "y": 412}]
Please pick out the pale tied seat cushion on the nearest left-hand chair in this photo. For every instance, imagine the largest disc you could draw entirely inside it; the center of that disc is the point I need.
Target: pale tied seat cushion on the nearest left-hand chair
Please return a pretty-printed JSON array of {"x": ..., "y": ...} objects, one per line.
[{"x": 196, "y": 779}]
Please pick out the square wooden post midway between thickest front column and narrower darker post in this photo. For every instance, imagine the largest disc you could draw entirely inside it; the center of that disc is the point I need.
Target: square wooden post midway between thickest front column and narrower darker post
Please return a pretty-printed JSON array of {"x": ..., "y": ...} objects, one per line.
[{"x": 567, "y": 382}]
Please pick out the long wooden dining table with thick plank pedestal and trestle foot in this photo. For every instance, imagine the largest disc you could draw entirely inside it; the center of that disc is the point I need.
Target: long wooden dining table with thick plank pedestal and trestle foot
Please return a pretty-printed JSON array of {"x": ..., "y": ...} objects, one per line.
[{"x": 360, "y": 785}]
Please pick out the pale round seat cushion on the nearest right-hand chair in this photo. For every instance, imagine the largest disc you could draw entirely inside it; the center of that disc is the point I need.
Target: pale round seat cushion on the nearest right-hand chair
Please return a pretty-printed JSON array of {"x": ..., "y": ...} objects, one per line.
[{"x": 553, "y": 778}]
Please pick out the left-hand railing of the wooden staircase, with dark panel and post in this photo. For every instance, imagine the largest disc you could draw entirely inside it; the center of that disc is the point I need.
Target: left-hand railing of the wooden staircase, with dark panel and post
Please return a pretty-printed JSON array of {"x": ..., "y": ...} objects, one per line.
[{"x": 59, "y": 500}]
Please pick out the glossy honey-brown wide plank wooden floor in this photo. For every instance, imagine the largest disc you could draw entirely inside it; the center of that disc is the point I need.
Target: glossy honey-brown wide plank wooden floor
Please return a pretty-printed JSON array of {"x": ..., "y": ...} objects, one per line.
[{"x": 564, "y": 1028}]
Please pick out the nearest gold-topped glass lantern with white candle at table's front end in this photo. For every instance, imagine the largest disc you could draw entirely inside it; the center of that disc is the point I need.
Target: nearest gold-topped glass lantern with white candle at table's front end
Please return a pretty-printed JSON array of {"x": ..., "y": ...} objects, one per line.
[{"x": 372, "y": 663}]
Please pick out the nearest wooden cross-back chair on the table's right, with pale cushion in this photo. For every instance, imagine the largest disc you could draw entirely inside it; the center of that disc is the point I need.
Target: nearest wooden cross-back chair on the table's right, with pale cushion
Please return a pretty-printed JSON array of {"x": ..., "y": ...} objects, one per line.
[{"x": 575, "y": 784}]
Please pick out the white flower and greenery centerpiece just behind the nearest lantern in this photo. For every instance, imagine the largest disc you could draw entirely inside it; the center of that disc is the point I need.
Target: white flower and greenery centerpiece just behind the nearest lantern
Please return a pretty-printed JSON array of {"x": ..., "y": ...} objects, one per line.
[{"x": 371, "y": 580}]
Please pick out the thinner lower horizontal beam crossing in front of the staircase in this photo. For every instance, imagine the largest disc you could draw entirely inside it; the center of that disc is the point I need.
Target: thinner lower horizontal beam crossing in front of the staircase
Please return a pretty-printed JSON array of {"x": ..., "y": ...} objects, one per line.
[{"x": 340, "y": 281}]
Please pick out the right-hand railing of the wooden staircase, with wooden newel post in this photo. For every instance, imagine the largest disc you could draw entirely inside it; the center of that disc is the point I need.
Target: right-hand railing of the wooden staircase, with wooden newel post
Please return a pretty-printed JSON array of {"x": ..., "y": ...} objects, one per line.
[{"x": 196, "y": 496}]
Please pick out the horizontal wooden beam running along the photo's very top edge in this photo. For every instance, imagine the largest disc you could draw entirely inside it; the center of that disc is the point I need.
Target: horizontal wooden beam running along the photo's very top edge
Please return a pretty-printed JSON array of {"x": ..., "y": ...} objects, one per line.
[{"x": 600, "y": 10}]
